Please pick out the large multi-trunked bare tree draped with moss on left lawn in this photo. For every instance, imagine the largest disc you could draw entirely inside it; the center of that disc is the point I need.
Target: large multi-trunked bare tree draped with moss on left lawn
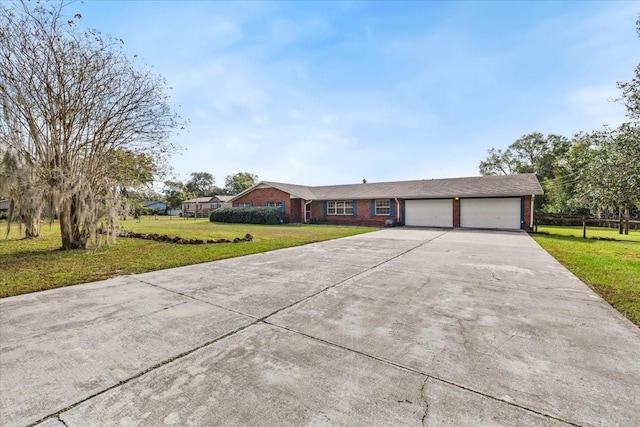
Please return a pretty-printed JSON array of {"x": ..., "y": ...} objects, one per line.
[{"x": 80, "y": 107}]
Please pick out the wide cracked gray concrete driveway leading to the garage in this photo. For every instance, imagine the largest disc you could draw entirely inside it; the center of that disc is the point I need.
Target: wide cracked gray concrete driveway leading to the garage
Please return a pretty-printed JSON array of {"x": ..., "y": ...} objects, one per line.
[{"x": 397, "y": 327}]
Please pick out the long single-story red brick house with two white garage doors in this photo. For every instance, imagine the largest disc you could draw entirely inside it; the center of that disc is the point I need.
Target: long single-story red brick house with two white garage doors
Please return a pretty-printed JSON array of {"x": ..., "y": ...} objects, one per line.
[{"x": 498, "y": 202}]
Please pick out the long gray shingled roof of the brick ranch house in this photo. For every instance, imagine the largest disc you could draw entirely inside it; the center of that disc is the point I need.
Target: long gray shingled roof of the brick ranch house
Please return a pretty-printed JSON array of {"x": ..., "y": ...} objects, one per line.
[{"x": 479, "y": 186}]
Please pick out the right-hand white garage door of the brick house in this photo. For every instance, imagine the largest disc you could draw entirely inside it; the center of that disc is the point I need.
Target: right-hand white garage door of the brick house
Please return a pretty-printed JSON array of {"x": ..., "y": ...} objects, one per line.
[{"x": 490, "y": 213}]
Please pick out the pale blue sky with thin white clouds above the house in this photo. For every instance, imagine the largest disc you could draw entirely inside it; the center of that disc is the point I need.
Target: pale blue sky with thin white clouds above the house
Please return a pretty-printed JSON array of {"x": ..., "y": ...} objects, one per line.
[{"x": 322, "y": 93}]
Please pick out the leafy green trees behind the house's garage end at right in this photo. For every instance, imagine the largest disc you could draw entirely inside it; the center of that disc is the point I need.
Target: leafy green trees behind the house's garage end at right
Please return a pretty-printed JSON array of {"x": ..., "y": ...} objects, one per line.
[{"x": 589, "y": 173}]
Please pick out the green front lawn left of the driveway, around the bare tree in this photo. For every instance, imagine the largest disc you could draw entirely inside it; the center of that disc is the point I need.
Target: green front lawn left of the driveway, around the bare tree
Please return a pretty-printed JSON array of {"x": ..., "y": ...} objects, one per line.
[{"x": 37, "y": 264}]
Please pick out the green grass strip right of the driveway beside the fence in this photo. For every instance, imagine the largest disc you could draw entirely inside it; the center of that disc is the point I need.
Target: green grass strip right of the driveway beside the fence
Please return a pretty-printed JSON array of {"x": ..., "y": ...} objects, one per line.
[{"x": 612, "y": 269}]
